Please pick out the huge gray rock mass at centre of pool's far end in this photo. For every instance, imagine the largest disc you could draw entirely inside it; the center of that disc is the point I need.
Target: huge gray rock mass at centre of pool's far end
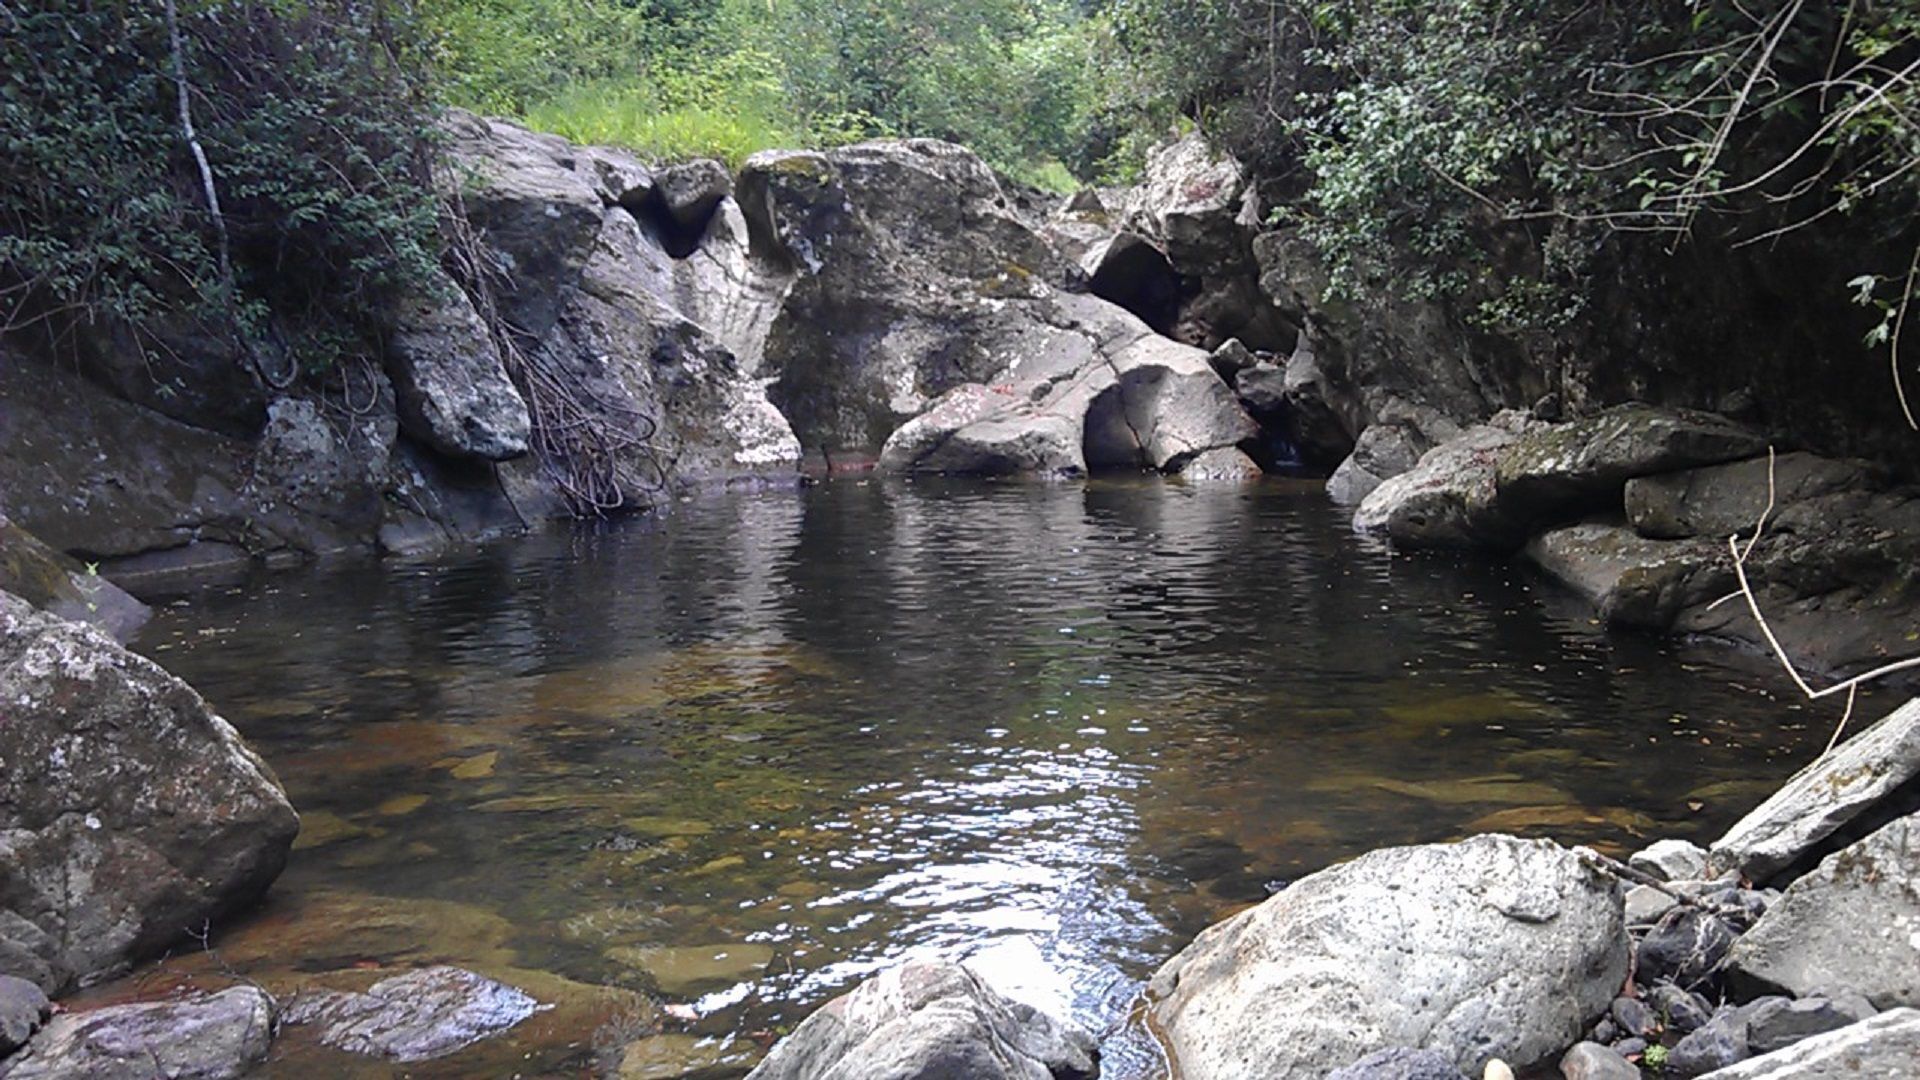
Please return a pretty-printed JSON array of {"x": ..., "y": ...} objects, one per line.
[{"x": 930, "y": 328}]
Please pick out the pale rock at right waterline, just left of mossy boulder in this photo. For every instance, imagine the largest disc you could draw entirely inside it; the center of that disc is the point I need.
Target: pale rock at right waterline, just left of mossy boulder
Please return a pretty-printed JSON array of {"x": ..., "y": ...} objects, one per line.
[{"x": 1451, "y": 499}]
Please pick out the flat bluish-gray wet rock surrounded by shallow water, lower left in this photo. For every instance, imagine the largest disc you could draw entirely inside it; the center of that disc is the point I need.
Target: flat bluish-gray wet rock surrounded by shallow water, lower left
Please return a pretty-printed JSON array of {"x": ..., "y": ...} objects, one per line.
[{"x": 418, "y": 1016}]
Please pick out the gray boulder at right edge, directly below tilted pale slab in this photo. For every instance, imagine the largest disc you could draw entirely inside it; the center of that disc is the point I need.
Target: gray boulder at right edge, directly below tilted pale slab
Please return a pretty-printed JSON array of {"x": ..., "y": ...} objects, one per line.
[{"x": 1850, "y": 925}]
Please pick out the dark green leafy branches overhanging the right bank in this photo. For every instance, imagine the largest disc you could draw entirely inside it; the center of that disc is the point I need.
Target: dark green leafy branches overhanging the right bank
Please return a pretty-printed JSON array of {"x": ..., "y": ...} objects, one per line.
[{"x": 1410, "y": 141}]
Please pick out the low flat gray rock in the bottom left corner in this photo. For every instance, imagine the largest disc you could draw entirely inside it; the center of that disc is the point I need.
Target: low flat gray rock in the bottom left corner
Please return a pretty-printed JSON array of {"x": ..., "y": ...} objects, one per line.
[{"x": 201, "y": 1039}]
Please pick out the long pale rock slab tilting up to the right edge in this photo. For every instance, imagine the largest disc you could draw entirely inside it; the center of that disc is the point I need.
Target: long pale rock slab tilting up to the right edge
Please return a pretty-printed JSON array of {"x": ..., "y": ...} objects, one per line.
[{"x": 1823, "y": 798}]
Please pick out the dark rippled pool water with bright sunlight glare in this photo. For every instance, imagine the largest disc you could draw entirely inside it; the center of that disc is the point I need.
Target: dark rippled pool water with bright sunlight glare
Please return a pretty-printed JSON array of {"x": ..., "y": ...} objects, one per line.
[{"x": 750, "y": 752}]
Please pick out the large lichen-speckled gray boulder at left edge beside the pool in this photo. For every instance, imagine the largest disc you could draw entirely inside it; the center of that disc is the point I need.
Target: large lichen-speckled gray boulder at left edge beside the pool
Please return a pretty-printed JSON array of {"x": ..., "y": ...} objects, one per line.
[{"x": 130, "y": 814}]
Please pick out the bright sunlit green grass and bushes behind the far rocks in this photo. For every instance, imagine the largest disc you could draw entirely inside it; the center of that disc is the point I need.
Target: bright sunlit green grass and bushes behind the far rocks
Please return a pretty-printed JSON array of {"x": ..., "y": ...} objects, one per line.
[{"x": 1015, "y": 80}]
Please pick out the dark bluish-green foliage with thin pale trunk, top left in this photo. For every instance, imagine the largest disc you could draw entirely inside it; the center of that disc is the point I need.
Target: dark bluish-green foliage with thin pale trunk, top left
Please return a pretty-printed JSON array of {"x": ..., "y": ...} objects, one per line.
[{"x": 314, "y": 135}]
